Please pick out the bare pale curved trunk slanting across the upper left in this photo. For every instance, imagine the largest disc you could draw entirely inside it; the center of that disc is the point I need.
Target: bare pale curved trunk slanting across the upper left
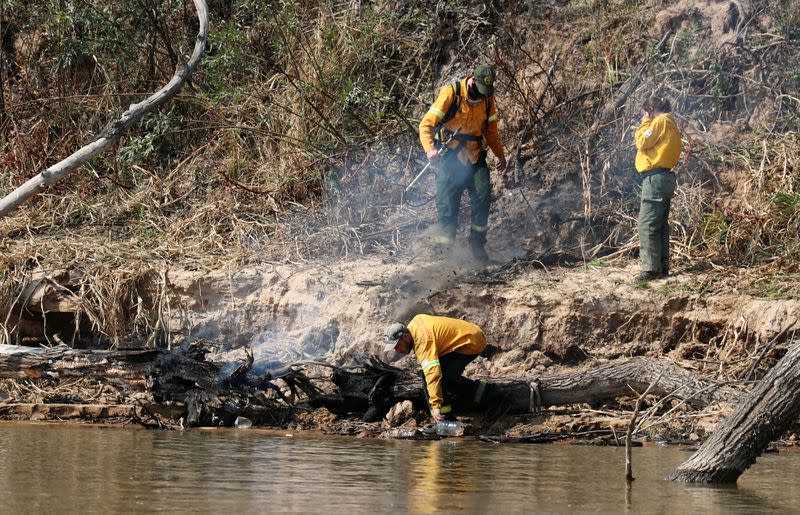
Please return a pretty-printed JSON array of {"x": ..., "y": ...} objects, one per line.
[{"x": 116, "y": 128}]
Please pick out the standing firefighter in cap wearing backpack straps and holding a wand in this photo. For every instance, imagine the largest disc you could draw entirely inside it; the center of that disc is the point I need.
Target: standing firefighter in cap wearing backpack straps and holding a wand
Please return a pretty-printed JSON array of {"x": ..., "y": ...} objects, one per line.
[{"x": 465, "y": 108}]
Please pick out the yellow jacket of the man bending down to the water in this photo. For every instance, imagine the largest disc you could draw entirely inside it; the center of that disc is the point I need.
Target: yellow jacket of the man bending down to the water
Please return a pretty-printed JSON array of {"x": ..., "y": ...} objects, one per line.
[{"x": 438, "y": 336}]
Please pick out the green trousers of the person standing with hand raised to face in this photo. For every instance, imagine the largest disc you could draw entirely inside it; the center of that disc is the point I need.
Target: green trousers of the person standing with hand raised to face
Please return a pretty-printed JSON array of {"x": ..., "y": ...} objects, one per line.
[{"x": 658, "y": 187}]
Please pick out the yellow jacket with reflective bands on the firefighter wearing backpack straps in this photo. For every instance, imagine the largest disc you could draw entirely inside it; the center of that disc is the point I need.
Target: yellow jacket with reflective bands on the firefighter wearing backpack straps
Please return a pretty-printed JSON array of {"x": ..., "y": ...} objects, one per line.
[{"x": 470, "y": 117}]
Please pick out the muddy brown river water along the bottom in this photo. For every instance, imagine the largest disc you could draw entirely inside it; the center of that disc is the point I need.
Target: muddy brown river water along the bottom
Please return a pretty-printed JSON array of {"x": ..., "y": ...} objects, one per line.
[{"x": 67, "y": 469}]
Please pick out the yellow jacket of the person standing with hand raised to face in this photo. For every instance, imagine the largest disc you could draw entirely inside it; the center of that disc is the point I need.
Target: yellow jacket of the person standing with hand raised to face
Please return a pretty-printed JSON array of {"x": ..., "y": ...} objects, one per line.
[{"x": 658, "y": 143}]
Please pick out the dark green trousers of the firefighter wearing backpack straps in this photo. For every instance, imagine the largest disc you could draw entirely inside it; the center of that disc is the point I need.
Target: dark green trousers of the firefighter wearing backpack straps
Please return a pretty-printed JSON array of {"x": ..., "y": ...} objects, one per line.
[{"x": 452, "y": 178}]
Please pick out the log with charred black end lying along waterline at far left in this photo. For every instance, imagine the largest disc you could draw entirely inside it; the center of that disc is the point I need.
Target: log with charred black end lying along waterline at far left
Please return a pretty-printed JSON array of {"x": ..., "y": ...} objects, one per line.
[{"x": 209, "y": 395}]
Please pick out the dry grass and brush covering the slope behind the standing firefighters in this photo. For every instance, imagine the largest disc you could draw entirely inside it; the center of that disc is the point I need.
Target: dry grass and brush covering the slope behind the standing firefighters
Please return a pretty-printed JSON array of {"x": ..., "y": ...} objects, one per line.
[{"x": 297, "y": 137}]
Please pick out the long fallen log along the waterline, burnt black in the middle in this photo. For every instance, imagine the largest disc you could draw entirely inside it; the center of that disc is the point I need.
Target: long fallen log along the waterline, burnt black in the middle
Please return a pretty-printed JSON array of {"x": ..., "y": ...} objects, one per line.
[{"x": 214, "y": 395}]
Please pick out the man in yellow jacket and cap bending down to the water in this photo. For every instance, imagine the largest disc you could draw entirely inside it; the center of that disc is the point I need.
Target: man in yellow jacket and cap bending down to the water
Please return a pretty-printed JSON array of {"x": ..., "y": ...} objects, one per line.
[{"x": 444, "y": 347}]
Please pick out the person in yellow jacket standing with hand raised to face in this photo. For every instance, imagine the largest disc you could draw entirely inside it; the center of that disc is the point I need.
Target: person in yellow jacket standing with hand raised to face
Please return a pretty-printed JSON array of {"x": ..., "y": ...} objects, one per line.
[{"x": 658, "y": 145}]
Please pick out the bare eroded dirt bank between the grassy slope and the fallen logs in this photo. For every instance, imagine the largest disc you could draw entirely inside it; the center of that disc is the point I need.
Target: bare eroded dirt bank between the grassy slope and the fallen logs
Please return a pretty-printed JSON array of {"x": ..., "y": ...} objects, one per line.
[{"x": 535, "y": 318}]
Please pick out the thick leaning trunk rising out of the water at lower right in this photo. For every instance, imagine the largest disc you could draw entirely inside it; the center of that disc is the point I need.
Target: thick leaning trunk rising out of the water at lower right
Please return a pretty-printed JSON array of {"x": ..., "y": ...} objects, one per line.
[{"x": 761, "y": 418}]
